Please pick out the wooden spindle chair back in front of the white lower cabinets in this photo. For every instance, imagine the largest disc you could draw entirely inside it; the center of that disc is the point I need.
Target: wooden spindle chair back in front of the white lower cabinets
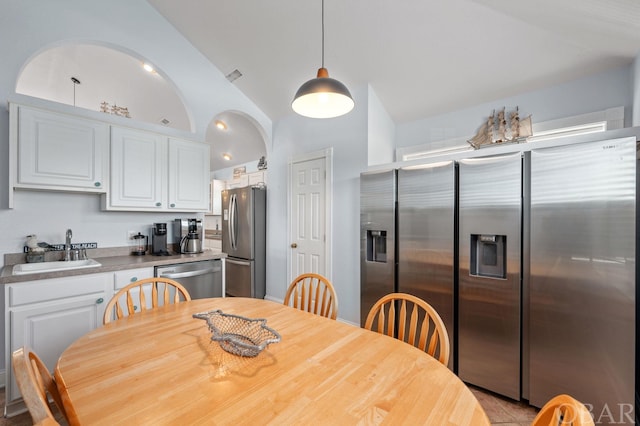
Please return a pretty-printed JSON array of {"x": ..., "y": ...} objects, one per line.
[{"x": 137, "y": 296}]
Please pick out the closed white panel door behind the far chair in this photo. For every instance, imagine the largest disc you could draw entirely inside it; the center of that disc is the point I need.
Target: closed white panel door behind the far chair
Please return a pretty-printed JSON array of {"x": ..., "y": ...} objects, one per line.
[{"x": 307, "y": 215}]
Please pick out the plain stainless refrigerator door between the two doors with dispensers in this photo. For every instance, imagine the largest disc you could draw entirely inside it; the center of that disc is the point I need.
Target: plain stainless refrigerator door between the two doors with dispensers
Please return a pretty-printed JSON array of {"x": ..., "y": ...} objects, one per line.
[{"x": 426, "y": 238}]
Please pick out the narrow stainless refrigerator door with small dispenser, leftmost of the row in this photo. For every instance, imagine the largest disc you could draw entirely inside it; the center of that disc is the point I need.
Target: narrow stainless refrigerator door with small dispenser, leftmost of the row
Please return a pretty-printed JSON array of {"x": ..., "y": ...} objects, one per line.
[{"x": 377, "y": 238}]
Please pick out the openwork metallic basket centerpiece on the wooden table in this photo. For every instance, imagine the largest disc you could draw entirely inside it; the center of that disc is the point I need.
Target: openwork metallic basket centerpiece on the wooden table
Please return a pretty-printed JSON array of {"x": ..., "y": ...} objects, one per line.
[{"x": 239, "y": 335}]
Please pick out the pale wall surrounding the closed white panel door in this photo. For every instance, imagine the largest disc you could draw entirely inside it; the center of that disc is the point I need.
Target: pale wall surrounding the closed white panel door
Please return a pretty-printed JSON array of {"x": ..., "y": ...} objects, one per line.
[{"x": 348, "y": 137}]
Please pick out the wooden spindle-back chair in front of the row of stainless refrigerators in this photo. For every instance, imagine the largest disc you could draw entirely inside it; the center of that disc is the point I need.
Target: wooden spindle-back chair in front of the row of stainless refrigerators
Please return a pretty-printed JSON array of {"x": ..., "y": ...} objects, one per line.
[{"x": 424, "y": 329}]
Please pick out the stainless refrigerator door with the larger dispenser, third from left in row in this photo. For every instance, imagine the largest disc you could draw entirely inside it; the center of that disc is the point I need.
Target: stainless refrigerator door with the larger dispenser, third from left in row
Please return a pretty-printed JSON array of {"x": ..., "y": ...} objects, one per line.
[{"x": 490, "y": 256}]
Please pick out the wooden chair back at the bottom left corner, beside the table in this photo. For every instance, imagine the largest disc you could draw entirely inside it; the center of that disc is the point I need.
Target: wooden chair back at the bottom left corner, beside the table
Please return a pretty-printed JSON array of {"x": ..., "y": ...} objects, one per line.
[{"x": 35, "y": 382}]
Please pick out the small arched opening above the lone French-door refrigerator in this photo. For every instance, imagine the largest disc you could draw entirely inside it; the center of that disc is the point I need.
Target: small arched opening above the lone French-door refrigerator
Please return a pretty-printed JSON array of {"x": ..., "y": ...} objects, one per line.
[{"x": 242, "y": 138}]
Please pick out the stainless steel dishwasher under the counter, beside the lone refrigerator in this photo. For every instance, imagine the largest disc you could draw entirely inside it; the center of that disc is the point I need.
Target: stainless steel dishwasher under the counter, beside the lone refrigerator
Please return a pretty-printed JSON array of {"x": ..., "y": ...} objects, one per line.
[{"x": 202, "y": 279}]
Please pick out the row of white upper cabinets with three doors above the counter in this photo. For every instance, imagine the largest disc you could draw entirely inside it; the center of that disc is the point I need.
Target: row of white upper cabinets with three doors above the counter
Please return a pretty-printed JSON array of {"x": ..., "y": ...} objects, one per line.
[{"x": 133, "y": 169}]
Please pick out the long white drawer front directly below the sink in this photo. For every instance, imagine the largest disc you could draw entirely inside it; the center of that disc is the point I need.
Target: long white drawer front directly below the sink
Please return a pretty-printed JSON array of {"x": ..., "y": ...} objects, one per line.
[{"x": 56, "y": 288}]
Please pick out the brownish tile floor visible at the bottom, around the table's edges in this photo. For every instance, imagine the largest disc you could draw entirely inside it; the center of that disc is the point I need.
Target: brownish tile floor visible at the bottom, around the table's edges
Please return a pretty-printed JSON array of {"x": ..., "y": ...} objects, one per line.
[{"x": 501, "y": 411}]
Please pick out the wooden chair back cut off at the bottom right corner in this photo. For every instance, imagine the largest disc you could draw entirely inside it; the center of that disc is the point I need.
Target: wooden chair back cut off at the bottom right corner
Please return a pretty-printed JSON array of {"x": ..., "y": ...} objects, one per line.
[{"x": 563, "y": 410}]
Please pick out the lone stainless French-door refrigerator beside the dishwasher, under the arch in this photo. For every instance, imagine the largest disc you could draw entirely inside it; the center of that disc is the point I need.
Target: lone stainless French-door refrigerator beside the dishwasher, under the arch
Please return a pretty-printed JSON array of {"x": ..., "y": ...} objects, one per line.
[{"x": 244, "y": 227}]
